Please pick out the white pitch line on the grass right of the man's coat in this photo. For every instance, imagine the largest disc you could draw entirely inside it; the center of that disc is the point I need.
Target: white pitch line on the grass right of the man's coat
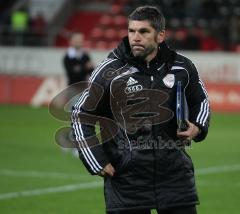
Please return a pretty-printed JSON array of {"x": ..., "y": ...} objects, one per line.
[{"x": 218, "y": 169}]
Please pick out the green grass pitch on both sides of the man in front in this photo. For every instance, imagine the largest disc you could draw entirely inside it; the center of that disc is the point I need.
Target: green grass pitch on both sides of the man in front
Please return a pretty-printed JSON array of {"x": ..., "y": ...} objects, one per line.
[{"x": 36, "y": 176}]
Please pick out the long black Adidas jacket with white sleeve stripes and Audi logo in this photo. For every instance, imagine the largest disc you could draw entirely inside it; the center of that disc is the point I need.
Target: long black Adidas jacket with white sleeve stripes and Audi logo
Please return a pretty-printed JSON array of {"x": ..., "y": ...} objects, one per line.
[{"x": 135, "y": 103}]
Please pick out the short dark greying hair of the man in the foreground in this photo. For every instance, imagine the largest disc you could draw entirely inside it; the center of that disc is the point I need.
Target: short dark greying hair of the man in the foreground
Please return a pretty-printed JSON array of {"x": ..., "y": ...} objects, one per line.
[{"x": 151, "y": 14}]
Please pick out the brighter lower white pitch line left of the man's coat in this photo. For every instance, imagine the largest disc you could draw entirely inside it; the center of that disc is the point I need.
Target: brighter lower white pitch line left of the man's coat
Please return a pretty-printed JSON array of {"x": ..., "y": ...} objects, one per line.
[{"x": 50, "y": 190}]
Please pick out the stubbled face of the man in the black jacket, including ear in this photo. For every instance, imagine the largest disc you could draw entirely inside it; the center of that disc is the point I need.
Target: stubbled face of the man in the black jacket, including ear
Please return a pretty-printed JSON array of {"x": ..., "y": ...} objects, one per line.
[{"x": 144, "y": 39}]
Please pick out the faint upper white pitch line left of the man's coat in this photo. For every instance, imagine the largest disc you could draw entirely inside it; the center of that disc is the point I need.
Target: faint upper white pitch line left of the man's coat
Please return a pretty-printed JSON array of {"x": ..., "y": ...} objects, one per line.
[{"x": 41, "y": 174}]
